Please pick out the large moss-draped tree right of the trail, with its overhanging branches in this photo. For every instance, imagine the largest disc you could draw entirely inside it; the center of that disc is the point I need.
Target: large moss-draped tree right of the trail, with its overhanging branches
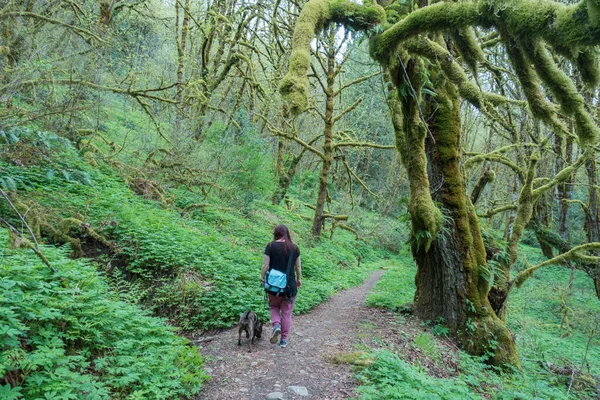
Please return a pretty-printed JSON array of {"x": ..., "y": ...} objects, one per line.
[{"x": 452, "y": 278}]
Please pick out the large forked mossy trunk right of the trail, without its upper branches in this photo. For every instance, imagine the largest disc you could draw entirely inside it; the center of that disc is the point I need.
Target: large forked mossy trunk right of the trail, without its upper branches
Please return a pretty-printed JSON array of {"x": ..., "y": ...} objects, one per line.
[{"x": 450, "y": 258}]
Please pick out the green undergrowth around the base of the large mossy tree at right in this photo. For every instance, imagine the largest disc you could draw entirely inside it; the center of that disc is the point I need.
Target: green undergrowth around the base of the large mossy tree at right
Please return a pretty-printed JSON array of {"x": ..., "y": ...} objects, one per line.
[{"x": 556, "y": 329}]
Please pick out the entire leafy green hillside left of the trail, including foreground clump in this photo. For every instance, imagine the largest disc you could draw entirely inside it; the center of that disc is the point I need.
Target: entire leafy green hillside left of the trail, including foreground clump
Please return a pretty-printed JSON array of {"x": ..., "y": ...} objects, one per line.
[{"x": 200, "y": 270}]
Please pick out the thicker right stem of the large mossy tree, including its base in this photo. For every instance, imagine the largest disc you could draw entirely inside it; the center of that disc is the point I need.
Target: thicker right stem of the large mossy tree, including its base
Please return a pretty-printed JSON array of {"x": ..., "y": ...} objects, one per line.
[{"x": 450, "y": 282}]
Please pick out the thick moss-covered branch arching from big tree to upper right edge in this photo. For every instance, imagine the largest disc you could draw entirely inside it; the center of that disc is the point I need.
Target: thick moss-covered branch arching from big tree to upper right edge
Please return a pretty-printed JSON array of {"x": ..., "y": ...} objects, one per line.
[{"x": 562, "y": 26}]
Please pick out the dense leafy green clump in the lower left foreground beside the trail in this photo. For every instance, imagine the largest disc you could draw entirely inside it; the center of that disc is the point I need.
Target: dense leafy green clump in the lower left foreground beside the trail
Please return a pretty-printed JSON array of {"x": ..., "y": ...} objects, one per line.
[{"x": 68, "y": 336}]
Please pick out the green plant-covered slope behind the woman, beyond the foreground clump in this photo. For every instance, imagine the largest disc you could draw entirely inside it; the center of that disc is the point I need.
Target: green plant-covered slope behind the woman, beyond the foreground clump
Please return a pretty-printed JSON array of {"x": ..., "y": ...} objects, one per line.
[{"x": 200, "y": 269}]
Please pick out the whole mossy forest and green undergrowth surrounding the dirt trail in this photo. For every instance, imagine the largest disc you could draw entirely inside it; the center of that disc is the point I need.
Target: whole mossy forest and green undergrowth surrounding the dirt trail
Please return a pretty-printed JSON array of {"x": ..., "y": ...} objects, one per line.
[{"x": 148, "y": 148}]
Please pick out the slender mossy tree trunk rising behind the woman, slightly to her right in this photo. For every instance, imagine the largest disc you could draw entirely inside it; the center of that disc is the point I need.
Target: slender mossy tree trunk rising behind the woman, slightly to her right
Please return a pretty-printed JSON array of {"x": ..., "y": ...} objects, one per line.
[{"x": 319, "y": 218}]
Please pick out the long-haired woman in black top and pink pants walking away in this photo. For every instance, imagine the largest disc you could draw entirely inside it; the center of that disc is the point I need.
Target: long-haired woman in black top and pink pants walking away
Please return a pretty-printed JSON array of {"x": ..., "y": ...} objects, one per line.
[{"x": 278, "y": 254}]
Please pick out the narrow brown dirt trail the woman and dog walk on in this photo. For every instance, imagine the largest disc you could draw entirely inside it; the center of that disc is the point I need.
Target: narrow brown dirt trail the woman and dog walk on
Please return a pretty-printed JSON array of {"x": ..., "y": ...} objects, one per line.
[{"x": 302, "y": 370}]
